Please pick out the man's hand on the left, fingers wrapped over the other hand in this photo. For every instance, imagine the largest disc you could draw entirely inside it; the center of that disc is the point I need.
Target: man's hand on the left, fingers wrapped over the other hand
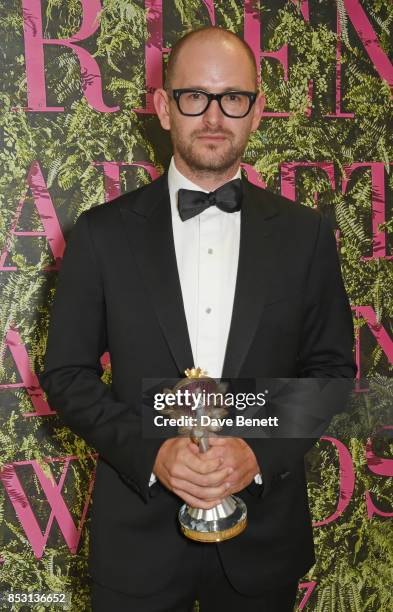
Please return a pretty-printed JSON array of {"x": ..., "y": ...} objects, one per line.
[{"x": 200, "y": 479}]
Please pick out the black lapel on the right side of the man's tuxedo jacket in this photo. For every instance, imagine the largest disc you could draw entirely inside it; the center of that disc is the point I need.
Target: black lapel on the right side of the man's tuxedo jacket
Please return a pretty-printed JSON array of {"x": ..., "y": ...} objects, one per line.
[{"x": 258, "y": 244}]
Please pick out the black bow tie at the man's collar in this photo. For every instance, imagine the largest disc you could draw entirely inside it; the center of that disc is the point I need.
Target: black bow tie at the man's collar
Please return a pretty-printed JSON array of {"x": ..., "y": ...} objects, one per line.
[{"x": 228, "y": 198}]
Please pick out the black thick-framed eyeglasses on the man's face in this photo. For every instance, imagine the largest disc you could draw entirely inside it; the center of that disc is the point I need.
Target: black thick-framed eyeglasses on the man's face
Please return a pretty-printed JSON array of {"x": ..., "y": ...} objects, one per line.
[{"x": 193, "y": 102}]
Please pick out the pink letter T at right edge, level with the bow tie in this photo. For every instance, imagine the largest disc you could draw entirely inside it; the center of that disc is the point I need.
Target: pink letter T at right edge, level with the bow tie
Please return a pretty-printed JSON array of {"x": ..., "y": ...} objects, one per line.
[{"x": 377, "y": 170}]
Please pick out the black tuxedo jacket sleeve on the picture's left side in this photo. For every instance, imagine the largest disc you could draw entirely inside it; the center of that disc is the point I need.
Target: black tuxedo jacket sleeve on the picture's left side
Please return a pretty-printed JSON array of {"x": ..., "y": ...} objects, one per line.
[{"x": 72, "y": 369}]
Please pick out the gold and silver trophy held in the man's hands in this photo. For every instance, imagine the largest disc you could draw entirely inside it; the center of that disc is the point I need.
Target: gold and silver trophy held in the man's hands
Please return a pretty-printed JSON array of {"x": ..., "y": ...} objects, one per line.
[{"x": 228, "y": 518}]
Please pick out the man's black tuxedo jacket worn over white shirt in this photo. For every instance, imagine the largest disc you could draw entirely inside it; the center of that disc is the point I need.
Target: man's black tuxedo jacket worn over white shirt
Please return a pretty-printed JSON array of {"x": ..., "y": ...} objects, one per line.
[{"x": 119, "y": 290}]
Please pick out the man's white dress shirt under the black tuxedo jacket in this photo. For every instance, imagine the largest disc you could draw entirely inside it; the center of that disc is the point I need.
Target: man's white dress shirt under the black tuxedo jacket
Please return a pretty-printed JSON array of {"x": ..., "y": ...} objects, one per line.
[{"x": 207, "y": 254}]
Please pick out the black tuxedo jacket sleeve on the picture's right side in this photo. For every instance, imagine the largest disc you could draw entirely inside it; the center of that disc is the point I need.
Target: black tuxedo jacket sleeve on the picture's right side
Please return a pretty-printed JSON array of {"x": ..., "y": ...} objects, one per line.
[{"x": 326, "y": 351}]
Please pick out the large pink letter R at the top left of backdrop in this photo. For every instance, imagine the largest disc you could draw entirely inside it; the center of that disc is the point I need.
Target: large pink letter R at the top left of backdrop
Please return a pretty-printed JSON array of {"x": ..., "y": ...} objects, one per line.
[{"x": 34, "y": 56}]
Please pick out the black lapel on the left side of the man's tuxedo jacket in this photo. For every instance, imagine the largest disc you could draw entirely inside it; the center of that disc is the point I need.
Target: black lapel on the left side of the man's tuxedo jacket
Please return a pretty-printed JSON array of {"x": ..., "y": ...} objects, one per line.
[{"x": 148, "y": 225}]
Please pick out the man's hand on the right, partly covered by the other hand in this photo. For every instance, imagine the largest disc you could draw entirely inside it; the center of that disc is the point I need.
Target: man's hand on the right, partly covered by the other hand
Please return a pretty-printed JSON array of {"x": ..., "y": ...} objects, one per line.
[{"x": 239, "y": 456}]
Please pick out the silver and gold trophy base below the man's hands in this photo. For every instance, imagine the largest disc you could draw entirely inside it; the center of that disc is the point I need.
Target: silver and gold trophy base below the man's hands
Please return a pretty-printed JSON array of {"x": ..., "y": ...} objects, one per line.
[{"x": 224, "y": 521}]
